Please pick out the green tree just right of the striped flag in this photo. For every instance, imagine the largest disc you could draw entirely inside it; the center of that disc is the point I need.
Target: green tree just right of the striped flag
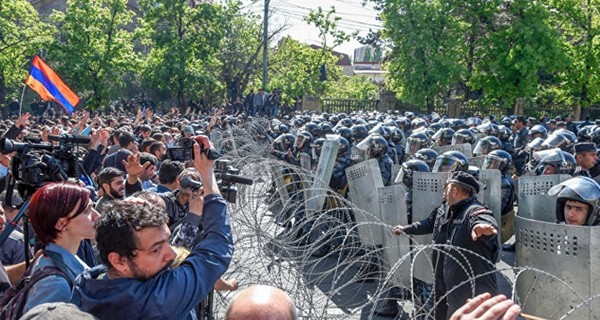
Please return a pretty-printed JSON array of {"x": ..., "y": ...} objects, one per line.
[{"x": 92, "y": 49}]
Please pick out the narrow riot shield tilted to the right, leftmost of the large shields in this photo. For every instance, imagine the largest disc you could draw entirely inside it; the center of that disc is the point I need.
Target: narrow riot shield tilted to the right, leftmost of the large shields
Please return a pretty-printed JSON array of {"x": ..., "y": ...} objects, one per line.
[{"x": 318, "y": 192}]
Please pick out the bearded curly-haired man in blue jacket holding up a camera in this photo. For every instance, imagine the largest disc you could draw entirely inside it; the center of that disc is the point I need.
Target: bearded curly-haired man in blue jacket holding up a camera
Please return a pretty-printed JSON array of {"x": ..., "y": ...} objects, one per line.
[{"x": 133, "y": 241}]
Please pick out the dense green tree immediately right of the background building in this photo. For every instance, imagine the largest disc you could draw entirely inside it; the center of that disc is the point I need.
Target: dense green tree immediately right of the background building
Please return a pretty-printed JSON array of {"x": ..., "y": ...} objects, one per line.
[{"x": 424, "y": 41}]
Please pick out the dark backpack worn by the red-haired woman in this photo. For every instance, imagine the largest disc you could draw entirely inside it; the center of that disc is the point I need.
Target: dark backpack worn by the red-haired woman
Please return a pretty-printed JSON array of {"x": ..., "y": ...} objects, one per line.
[{"x": 14, "y": 299}]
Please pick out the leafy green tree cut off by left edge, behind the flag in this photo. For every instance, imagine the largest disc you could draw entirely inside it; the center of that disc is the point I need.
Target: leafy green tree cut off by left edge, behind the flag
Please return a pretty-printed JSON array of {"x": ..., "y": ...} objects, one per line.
[{"x": 22, "y": 35}]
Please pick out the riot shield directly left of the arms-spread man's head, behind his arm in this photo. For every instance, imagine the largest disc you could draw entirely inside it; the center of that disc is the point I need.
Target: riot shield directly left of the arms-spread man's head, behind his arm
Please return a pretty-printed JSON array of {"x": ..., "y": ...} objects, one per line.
[{"x": 428, "y": 193}]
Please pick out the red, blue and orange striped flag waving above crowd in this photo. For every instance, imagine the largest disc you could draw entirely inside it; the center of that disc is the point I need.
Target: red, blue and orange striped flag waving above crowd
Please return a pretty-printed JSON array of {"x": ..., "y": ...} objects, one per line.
[{"x": 43, "y": 80}]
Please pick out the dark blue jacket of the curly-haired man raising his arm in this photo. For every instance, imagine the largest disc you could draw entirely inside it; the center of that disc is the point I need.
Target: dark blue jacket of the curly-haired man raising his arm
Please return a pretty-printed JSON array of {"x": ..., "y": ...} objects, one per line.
[{"x": 171, "y": 294}]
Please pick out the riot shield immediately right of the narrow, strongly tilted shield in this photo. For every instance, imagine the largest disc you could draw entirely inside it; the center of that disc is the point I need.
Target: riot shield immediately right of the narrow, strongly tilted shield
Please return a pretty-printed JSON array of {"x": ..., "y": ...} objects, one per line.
[{"x": 364, "y": 179}]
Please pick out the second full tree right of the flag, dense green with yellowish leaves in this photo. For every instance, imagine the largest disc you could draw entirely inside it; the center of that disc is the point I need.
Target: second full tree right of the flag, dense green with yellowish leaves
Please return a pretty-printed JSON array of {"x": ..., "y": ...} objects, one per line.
[{"x": 183, "y": 41}]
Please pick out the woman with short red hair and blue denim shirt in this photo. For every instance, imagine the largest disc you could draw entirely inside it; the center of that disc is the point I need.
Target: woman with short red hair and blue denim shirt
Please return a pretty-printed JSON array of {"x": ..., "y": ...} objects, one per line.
[{"x": 62, "y": 215}]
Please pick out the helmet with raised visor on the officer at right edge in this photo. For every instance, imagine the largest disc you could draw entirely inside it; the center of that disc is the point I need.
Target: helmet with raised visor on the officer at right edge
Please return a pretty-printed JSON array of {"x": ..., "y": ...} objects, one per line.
[{"x": 580, "y": 189}]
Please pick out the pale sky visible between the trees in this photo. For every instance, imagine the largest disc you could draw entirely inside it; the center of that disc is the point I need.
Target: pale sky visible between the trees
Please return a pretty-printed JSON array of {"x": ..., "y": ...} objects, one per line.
[{"x": 355, "y": 17}]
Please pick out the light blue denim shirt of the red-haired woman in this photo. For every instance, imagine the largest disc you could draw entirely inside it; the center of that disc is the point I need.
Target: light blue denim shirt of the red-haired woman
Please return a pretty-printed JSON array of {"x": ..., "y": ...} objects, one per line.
[{"x": 54, "y": 288}]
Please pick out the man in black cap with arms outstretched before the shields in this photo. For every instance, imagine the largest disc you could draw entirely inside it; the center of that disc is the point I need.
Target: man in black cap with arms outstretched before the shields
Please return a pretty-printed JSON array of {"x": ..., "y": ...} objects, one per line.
[{"x": 466, "y": 232}]
